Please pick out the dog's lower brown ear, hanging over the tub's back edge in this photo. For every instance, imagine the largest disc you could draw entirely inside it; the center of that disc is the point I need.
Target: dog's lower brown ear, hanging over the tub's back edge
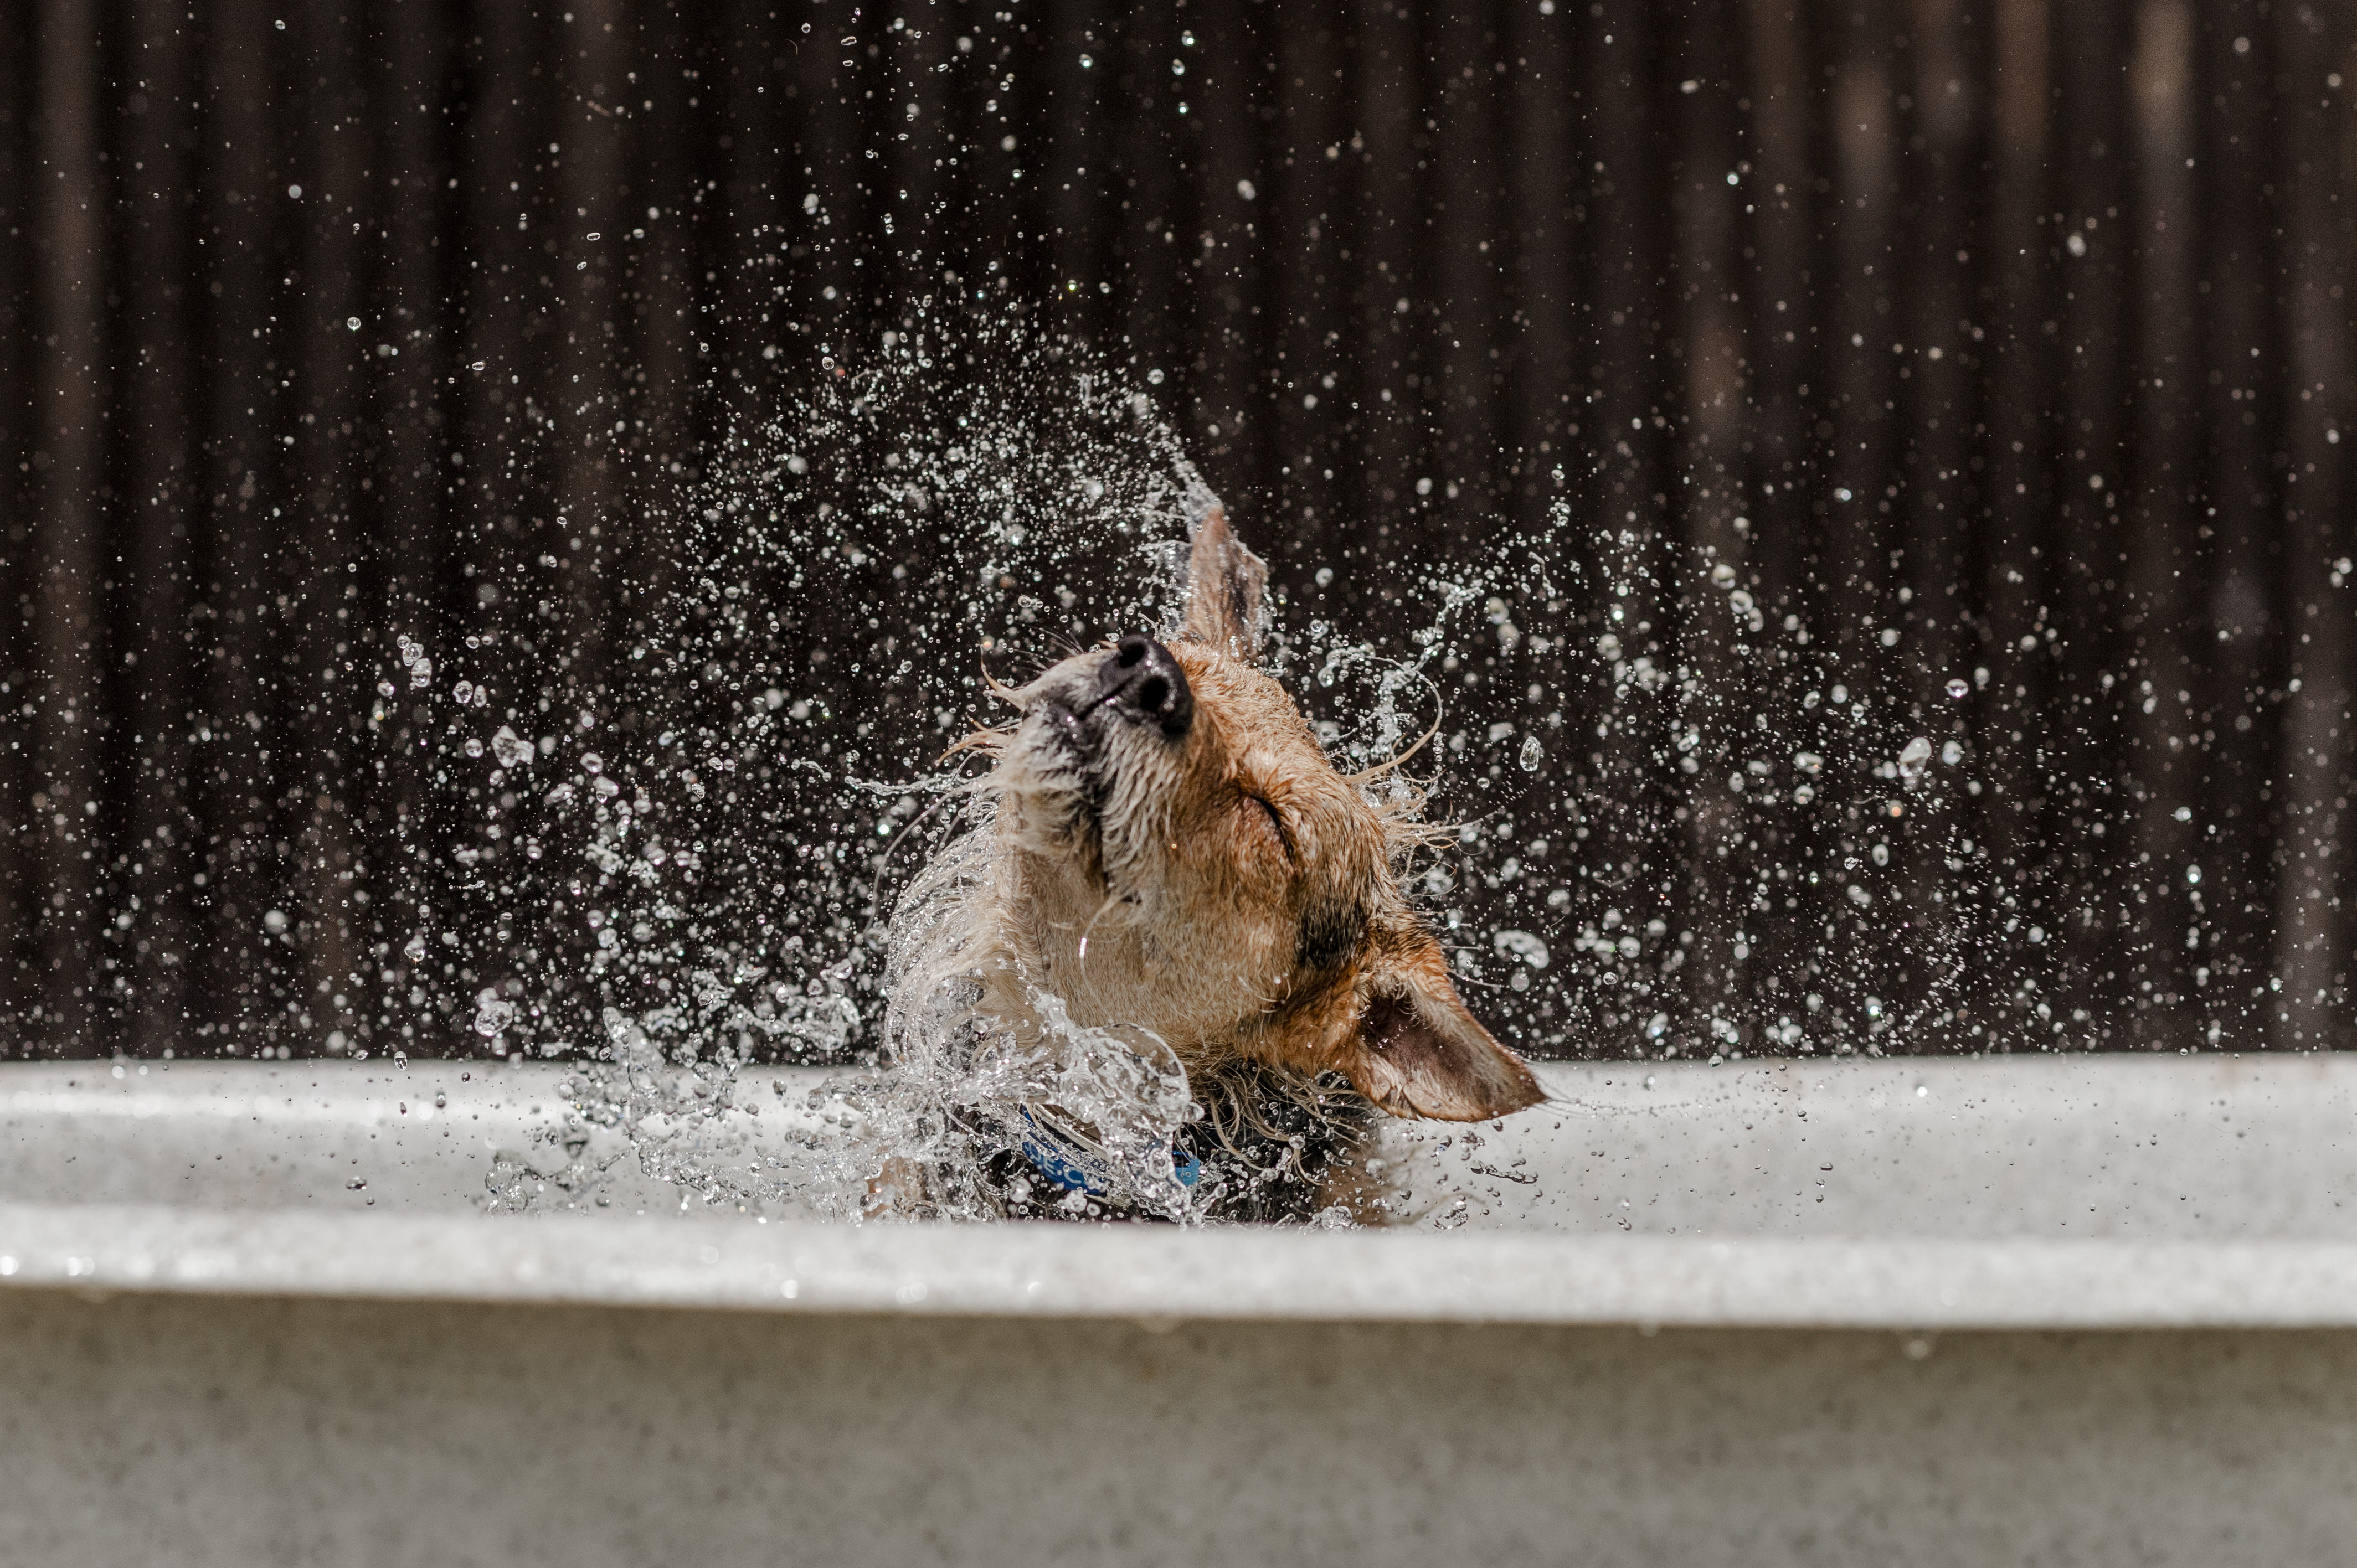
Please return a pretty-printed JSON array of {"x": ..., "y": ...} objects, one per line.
[{"x": 1418, "y": 1050}]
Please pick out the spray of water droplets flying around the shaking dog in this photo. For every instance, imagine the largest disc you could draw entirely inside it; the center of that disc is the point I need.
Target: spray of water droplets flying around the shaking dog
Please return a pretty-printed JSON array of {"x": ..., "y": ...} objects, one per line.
[{"x": 1708, "y": 838}]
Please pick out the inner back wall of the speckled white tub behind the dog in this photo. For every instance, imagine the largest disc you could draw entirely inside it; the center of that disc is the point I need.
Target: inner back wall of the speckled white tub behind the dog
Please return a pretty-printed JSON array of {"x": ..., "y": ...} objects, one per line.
[{"x": 2061, "y": 1147}]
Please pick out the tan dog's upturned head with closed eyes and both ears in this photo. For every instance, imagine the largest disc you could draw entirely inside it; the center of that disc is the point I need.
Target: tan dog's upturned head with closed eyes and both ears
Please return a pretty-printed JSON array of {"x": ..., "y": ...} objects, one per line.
[{"x": 1180, "y": 855}]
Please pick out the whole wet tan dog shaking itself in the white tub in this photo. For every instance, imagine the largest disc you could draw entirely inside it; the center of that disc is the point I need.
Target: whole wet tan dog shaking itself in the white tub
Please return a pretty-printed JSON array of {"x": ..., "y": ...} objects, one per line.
[{"x": 1180, "y": 949}]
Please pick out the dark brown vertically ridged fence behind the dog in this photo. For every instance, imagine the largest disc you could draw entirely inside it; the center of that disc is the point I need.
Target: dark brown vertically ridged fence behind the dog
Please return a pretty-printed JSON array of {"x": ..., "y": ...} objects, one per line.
[{"x": 2019, "y": 329}]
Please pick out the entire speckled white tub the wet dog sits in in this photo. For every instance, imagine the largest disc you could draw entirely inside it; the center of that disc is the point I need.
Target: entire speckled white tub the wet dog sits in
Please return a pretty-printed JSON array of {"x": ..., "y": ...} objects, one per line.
[{"x": 2040, "y": 1312}]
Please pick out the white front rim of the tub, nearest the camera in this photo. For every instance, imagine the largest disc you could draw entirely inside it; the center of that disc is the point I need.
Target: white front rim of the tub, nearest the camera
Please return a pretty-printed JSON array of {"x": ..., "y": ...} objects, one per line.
[{"x": 1163, "y": 1274}]
